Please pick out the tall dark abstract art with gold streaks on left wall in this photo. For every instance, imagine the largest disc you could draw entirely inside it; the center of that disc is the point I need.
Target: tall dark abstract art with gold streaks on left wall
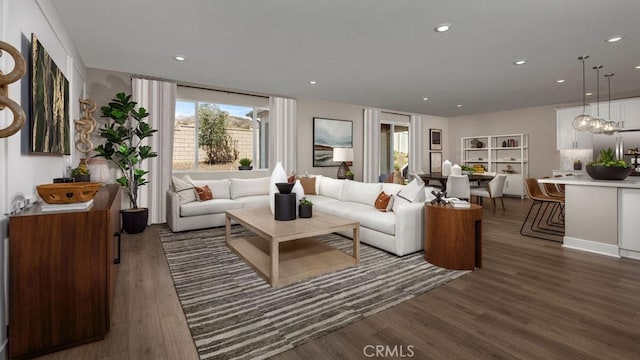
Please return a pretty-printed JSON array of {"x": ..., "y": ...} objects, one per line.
[{"x": 50, "y": 131}]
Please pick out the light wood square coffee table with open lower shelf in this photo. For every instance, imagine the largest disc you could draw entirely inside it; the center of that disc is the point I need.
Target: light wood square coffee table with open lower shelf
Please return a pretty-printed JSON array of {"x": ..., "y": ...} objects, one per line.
[{"x": 283, "y": 252}]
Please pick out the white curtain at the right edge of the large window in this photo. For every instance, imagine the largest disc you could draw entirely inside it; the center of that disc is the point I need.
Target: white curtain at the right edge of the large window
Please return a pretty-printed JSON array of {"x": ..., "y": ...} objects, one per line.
[{"x": 283, "y": 133}]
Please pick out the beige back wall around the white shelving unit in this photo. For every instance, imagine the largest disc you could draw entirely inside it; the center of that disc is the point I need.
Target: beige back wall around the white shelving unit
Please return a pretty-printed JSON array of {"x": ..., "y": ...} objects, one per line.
[{"x": 537, "y": 122}]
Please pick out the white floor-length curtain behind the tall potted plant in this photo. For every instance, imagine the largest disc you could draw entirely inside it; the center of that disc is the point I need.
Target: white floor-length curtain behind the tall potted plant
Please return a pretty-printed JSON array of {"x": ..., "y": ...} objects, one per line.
[{"x": 159, "y": 98}]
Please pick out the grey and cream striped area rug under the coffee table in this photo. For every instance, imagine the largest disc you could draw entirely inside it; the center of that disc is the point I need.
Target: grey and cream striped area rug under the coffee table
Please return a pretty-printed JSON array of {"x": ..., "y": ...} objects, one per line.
[{"x": 233, "y": 313}]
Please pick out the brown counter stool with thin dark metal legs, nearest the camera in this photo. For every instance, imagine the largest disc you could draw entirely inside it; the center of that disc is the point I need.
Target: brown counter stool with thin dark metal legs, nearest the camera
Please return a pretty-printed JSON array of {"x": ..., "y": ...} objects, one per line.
[{"x": 546, "y": 210}]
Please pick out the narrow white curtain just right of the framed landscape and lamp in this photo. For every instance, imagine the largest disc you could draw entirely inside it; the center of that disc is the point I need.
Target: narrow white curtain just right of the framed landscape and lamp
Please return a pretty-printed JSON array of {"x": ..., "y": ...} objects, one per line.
[{"x": 371, "y": 166}]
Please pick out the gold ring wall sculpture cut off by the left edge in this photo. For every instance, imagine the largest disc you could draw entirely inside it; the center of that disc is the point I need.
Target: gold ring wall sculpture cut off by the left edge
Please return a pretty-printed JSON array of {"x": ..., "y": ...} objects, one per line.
[{"x": 19, "y": 69}]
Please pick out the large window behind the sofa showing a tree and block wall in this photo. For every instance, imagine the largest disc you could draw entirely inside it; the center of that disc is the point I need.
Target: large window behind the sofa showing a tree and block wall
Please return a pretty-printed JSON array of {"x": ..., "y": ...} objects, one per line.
[{"x": 214, "y": 136}]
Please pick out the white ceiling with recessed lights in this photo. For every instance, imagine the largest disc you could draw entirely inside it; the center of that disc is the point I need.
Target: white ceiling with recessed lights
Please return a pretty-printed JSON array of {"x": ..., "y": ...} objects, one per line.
[{"x": 376, "y": 53}]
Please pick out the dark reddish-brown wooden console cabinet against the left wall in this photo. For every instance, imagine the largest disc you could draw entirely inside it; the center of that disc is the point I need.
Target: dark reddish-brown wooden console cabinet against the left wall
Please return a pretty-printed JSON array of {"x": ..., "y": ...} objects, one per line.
[{"x": 62, "y": 275}]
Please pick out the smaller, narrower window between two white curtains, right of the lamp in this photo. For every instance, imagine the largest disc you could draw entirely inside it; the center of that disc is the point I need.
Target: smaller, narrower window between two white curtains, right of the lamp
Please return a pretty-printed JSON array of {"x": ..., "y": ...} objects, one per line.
[{"x": 394, "y": 143}]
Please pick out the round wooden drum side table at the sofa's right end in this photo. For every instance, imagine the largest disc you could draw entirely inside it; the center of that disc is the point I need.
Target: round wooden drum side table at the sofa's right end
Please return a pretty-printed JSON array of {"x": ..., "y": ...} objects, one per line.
[{"x": 453, "y": 236}]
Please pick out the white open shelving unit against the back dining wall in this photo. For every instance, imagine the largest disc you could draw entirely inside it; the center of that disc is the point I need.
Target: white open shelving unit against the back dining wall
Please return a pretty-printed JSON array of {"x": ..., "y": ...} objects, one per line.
[{"x": 500, "y": 154}]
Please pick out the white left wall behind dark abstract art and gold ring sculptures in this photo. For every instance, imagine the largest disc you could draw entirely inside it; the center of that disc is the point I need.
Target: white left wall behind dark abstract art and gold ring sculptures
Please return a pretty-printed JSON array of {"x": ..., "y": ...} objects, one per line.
[{"x": 20, "y": 171}]
